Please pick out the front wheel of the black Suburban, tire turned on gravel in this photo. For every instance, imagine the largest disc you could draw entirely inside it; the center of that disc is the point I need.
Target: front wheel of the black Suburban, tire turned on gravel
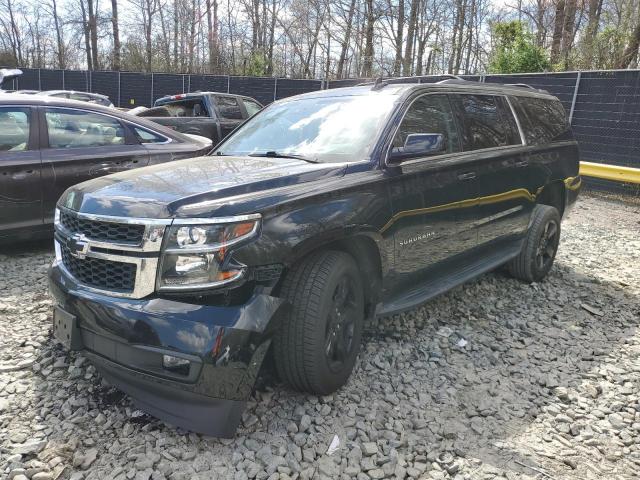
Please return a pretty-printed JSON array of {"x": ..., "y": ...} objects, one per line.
[{"x": 318, "y": 339}]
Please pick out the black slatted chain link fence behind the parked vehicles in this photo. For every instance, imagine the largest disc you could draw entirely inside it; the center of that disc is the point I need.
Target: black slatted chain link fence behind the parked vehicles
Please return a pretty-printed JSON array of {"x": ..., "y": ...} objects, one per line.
[{"x": 603, "y": 106}]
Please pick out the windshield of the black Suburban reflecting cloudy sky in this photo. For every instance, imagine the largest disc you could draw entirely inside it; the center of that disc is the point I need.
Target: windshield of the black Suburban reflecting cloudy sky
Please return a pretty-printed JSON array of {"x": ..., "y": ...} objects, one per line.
[{"x": 329, "y": 129}]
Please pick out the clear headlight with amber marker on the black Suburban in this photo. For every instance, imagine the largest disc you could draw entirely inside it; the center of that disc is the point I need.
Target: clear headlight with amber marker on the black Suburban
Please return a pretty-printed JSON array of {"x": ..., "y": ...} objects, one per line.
[{"x": 196, "y": 256}]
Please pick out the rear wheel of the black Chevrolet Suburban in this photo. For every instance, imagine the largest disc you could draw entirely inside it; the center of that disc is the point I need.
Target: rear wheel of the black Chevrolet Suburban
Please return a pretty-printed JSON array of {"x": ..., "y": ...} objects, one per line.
[{"x": 540, "y": 246}]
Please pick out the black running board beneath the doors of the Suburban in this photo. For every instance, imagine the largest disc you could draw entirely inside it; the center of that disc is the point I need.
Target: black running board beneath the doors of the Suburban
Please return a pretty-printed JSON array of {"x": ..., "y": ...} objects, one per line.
[{"x": 439, "y": 284}]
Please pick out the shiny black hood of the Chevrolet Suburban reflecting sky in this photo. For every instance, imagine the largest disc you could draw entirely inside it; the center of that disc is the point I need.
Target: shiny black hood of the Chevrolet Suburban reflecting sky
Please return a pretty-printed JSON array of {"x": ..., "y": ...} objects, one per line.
[{"x": 164, "y": 190}]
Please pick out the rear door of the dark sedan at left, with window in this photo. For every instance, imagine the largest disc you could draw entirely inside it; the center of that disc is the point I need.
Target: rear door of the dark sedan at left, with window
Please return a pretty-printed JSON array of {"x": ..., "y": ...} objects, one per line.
[{"x": 79, "y": 145}]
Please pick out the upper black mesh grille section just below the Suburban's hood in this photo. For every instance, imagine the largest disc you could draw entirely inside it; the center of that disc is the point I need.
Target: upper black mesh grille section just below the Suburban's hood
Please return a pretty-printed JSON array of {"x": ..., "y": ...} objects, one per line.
[{"x": 102, "y": 231}]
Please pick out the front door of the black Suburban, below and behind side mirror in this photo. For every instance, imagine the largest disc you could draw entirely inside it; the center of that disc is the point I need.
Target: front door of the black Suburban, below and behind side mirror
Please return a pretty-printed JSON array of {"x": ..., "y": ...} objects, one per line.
[{"x": 432, "y": 195}]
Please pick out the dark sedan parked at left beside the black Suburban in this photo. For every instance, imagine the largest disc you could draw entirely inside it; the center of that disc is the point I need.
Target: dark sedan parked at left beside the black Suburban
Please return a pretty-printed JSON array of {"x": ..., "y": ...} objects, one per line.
[{"x": 48, "y": 144}]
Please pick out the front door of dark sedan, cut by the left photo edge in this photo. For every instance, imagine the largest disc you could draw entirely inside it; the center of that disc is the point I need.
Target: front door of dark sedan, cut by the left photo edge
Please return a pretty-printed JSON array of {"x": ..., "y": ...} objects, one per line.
[{"x": 20, "y": 183}]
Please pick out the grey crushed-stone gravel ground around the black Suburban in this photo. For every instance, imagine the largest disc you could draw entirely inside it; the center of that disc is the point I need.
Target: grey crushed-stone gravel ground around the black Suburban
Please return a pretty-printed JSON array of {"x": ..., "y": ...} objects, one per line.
[{"x": 496, "y": 379}]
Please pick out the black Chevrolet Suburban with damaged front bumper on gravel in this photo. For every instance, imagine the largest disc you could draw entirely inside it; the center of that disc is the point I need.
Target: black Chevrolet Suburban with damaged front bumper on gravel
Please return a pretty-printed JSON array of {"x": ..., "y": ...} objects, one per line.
[{"x": 321, "y": 211}]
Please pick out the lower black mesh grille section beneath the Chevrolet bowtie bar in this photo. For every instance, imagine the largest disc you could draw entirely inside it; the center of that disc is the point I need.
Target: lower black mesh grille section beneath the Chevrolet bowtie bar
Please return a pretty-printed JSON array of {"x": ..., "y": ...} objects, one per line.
[{"x": 99, "y": 273}]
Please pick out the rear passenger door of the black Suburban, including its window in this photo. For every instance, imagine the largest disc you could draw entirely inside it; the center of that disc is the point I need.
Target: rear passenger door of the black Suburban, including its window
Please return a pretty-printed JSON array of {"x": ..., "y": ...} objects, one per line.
[{"x": 489, "y": 129}]
